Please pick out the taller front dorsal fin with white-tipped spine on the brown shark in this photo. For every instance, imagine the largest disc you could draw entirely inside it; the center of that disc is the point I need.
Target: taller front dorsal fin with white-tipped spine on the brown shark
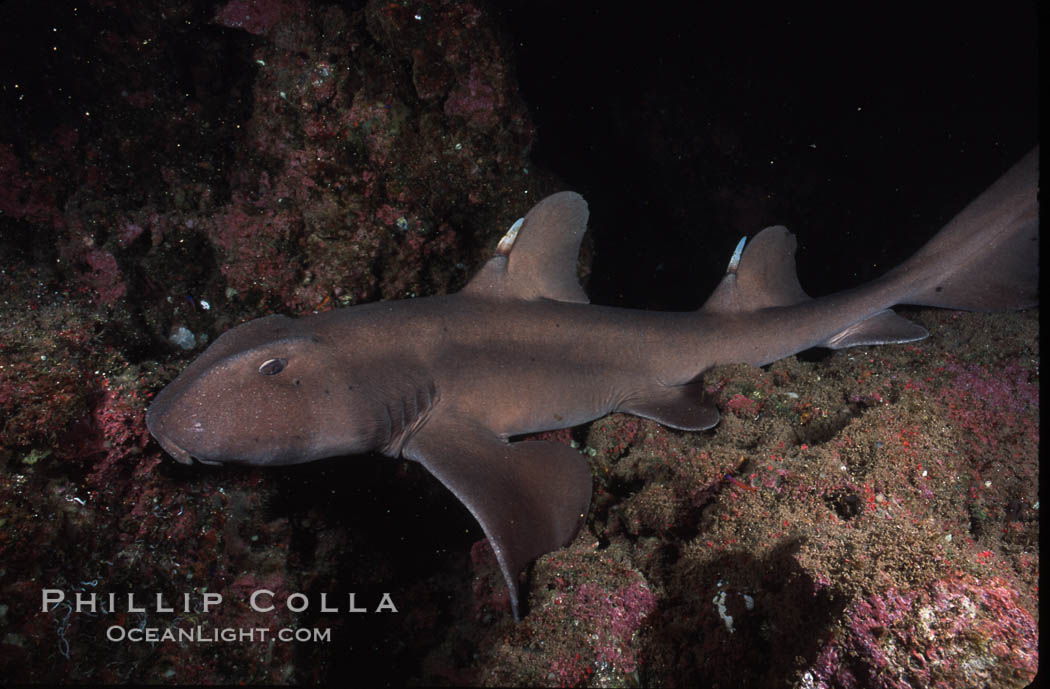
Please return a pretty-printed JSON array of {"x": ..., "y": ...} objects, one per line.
[{"x": 537, "y": 258}]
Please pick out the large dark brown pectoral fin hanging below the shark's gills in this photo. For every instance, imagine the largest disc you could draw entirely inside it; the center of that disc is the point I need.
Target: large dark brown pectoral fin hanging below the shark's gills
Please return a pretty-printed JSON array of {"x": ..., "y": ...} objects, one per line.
[{"x": 531, "y": 497}]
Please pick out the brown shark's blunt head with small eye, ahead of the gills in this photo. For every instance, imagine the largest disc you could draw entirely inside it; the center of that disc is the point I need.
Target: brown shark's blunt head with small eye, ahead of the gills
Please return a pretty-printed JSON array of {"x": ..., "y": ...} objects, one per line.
[{"x": 267, "y": 392}]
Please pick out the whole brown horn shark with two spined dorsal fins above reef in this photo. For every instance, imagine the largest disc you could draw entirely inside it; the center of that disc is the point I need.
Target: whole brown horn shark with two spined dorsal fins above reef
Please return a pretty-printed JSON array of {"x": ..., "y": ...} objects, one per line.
[{"x": 448, "y": 381}]
